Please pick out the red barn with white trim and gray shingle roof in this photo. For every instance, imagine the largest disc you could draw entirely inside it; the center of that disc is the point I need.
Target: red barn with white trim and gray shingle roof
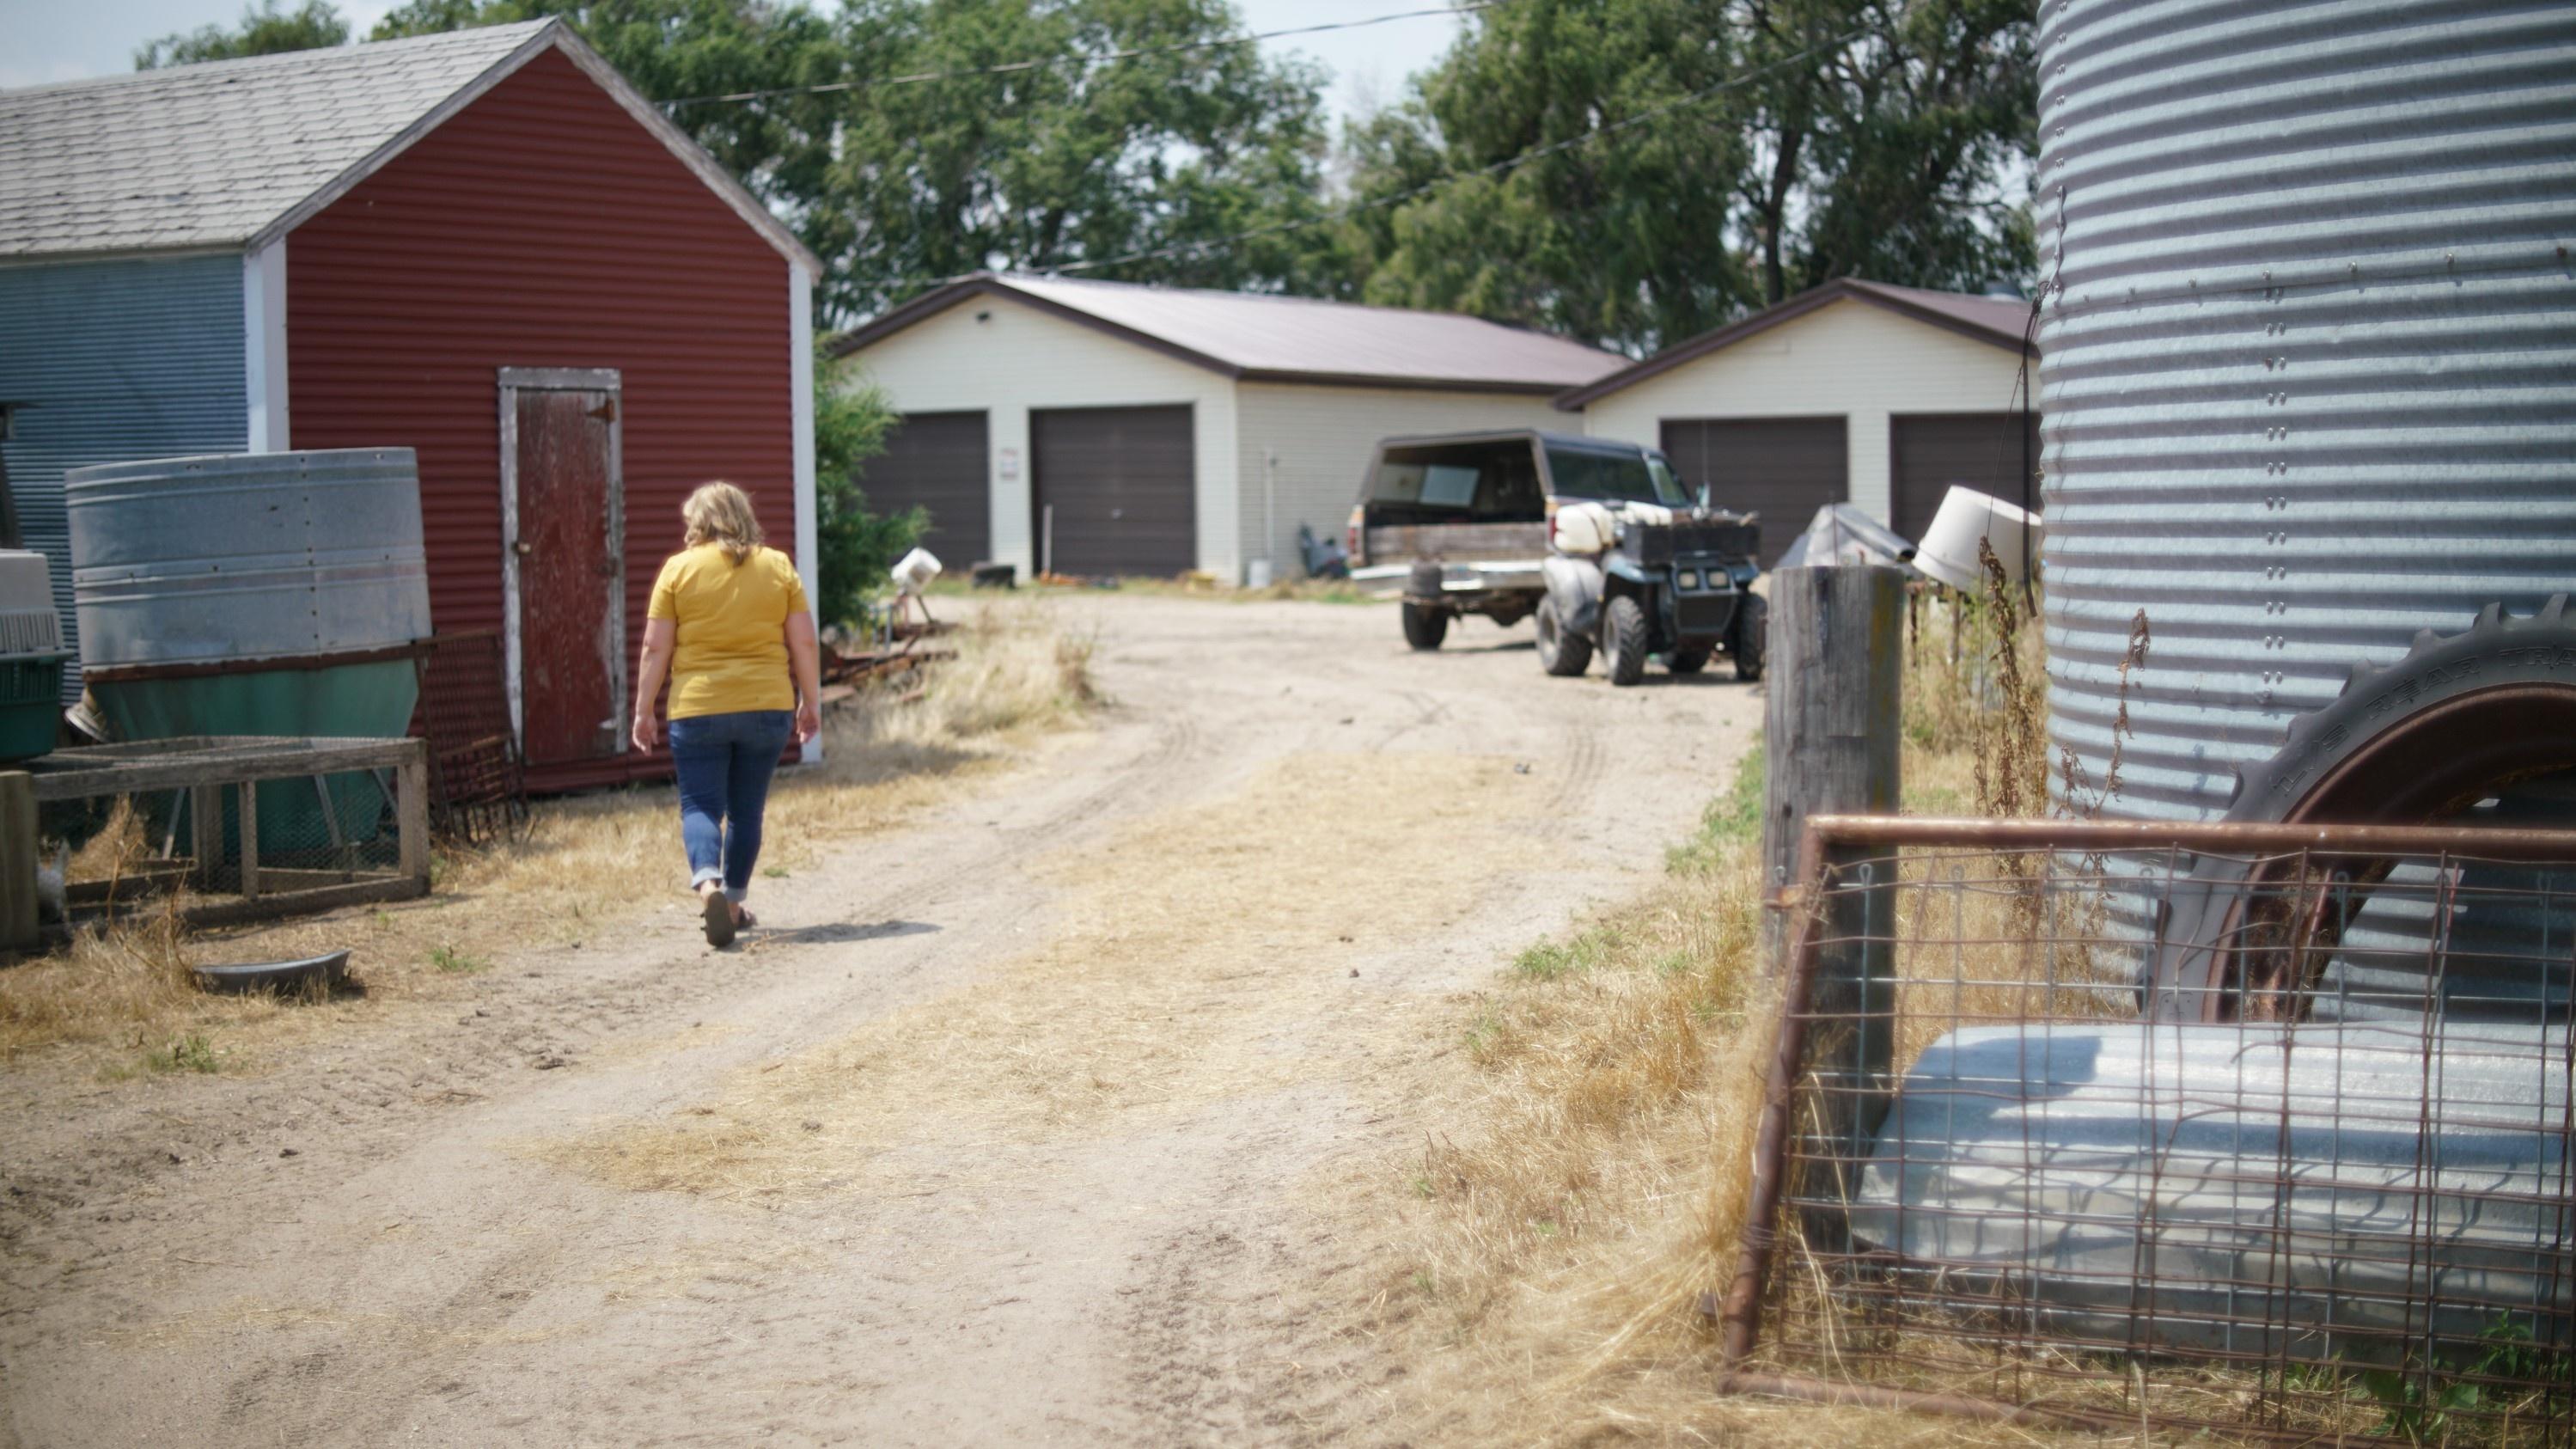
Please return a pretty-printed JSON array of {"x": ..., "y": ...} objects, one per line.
[{"x": 491, "y": 249}]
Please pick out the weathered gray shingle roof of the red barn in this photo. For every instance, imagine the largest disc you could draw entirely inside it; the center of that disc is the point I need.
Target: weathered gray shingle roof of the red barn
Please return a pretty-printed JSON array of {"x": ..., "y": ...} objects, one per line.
[{"x": 210, "y": 153}]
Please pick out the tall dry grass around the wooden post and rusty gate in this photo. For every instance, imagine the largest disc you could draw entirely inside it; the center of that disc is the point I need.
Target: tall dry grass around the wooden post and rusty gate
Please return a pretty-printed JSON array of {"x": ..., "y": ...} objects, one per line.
[{"x": 1565, "y": 1254}]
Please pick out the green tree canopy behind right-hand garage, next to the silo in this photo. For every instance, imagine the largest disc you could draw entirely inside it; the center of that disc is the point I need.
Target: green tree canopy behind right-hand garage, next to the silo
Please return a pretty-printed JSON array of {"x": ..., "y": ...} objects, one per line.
[{"x": 1740, "y": 153}]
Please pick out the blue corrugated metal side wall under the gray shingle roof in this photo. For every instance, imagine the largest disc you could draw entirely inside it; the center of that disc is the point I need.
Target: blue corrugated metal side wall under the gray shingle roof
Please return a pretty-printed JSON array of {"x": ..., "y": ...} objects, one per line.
[{"x": 115, "y": 362}]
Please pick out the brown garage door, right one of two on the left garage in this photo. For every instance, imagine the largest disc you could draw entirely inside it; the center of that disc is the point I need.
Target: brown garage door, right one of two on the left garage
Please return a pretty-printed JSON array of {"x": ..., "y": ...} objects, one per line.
[{"x": 1122, "y": 486}]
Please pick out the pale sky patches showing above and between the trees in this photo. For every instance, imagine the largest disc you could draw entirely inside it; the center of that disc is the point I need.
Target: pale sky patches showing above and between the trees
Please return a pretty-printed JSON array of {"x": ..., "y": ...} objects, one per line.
[{"x": 73, "y": 40}]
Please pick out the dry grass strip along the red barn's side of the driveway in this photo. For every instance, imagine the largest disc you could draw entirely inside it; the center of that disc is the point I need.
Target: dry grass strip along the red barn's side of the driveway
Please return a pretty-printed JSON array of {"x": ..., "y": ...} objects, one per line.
[{"x": 583, "y": 868}]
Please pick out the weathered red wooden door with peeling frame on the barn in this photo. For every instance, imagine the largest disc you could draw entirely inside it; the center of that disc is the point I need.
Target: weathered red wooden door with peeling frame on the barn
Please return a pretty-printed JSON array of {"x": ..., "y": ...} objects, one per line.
[{"x": 565, "y": 563}]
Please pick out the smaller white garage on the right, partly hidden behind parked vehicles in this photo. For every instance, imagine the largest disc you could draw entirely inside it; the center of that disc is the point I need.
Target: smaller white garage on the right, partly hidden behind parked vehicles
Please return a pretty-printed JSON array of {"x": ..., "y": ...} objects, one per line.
[{"x": 1851, "y": 393}]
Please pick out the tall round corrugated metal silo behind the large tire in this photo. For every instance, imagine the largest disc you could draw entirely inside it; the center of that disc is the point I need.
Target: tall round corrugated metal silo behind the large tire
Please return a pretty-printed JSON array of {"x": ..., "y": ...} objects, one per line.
[{"x": 2309, "y": 357}]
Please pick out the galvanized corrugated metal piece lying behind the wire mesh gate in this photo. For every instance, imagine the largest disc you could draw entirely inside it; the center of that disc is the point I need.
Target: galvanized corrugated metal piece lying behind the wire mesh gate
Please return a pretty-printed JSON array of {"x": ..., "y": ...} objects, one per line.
[{"x": 2237, "y": 1190}]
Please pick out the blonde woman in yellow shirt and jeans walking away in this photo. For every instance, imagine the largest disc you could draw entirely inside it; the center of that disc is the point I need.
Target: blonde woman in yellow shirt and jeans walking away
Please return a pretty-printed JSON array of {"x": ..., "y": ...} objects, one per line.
[{"x": 733, "y": 630}]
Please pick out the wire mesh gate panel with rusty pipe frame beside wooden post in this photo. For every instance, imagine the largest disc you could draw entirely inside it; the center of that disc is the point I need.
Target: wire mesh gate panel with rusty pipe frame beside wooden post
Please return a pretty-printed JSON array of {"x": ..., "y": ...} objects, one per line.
[{"x": 2291, "y": 1182}]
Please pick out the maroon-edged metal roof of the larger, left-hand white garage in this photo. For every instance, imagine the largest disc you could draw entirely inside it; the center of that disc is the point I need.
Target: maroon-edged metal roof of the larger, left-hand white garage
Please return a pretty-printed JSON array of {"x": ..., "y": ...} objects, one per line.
[{"x": 1287, "y": 339}]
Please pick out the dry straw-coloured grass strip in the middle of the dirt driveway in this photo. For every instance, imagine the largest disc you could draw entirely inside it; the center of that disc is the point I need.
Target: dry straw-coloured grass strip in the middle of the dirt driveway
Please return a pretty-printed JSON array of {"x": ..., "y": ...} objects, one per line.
[{"x": 1163, "y": 958}]
